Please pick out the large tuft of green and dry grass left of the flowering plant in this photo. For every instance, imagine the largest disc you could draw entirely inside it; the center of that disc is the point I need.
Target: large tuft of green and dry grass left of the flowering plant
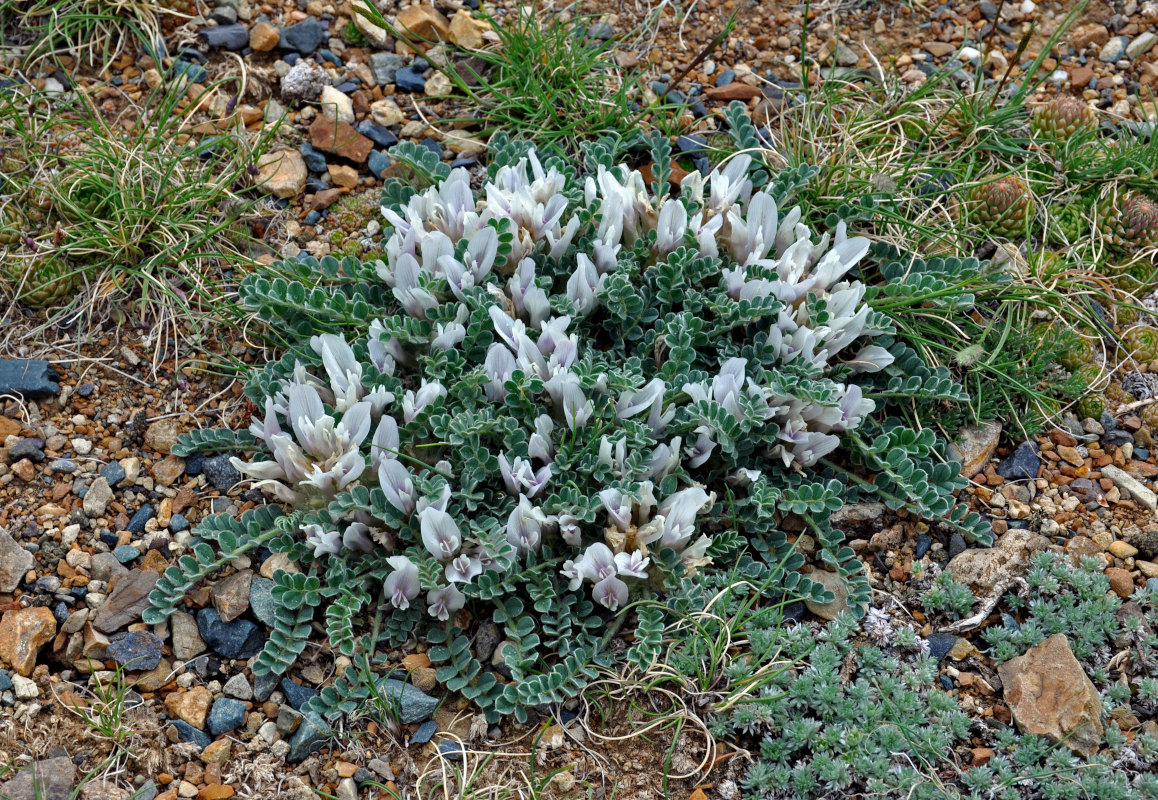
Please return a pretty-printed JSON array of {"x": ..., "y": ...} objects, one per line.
[{"x": 133, "y": 217}]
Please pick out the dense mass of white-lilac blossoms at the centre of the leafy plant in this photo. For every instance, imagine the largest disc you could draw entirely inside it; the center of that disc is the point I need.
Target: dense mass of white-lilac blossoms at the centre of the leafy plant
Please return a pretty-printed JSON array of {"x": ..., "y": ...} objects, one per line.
[{"x": 570, "y": 373}]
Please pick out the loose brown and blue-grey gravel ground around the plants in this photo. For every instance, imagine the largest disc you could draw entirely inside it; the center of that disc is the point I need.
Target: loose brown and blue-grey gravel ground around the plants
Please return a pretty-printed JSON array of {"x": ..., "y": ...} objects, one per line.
[{"x": 93, "y": 505}]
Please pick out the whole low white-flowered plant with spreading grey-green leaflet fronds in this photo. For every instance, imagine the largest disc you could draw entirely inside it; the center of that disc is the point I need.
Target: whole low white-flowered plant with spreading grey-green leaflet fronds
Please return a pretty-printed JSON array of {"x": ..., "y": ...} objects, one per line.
[{"x": 567, "y": 392}]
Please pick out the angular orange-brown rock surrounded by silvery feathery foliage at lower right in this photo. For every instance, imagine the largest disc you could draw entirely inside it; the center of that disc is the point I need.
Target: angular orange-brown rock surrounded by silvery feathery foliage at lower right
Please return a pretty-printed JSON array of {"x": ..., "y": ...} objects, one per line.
[{"x": 1051, "y": 696}]
